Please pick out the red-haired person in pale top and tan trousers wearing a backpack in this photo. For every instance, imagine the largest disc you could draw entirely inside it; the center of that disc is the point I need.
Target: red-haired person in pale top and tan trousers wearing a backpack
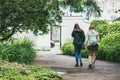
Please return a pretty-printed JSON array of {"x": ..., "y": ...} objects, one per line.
[{"x": 92, "y": 45}]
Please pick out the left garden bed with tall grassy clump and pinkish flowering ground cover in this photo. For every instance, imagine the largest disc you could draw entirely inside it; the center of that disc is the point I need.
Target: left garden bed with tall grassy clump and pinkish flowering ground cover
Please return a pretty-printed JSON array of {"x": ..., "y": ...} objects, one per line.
[{"x": 15, "y": 56}]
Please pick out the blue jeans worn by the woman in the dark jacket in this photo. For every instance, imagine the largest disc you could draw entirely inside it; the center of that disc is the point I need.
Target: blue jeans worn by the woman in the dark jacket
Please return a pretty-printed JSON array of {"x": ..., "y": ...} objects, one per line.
[{"x": 78, "y": 56}]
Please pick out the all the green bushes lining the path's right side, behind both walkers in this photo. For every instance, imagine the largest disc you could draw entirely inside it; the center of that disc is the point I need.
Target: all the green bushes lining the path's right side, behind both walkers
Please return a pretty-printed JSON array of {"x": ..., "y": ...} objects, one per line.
[{"x": 109, "y": 45}]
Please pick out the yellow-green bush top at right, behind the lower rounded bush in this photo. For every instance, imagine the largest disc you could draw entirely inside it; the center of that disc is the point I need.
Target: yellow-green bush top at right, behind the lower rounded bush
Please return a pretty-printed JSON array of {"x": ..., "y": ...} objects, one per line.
[{"x": 104, "y": 28}]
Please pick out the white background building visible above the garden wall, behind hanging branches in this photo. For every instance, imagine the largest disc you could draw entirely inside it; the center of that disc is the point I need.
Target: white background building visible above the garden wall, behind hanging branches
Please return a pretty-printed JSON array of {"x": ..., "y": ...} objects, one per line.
[{"x": 109, "y": 10}]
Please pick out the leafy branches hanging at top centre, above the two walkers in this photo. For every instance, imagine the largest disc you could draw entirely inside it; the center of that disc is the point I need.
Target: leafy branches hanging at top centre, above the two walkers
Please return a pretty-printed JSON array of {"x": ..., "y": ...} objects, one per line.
[{"x": 88, "y": 6}]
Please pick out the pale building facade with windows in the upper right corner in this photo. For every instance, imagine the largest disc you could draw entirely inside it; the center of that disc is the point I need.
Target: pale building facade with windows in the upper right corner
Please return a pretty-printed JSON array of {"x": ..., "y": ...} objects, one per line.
[{"x": 110, "y": 9}]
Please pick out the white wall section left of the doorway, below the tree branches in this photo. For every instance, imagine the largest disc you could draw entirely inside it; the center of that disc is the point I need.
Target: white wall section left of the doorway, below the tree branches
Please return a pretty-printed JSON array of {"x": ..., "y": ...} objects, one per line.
[{"x": 39, "y": 42}]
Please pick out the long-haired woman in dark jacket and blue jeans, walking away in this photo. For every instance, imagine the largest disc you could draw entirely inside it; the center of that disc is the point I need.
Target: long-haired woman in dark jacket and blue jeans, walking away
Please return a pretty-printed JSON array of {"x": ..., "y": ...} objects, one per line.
[{"x": 79, "y": 39}]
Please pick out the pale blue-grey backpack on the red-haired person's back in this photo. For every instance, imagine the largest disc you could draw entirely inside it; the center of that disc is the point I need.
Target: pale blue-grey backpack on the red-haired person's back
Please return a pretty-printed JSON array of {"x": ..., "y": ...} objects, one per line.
[{"x": 92, "y": 39}]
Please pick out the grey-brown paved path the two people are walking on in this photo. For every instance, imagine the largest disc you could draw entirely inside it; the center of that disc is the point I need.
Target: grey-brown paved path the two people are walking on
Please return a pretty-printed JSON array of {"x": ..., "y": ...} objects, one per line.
[{"x": 65, "y": 66}]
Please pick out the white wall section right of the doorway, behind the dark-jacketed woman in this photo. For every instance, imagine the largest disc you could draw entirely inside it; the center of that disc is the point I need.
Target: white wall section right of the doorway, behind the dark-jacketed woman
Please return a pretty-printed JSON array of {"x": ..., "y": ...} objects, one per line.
[{"x": 68, "y": 24}]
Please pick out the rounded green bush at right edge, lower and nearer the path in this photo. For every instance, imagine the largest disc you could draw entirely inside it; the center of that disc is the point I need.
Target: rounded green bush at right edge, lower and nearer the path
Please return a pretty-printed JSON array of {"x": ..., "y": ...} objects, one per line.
[{"x": 110, "y": 48}]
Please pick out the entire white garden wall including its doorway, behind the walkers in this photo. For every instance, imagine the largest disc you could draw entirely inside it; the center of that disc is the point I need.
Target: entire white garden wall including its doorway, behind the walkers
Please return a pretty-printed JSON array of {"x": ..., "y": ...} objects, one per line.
[{"x": 60, "y": 33}]
